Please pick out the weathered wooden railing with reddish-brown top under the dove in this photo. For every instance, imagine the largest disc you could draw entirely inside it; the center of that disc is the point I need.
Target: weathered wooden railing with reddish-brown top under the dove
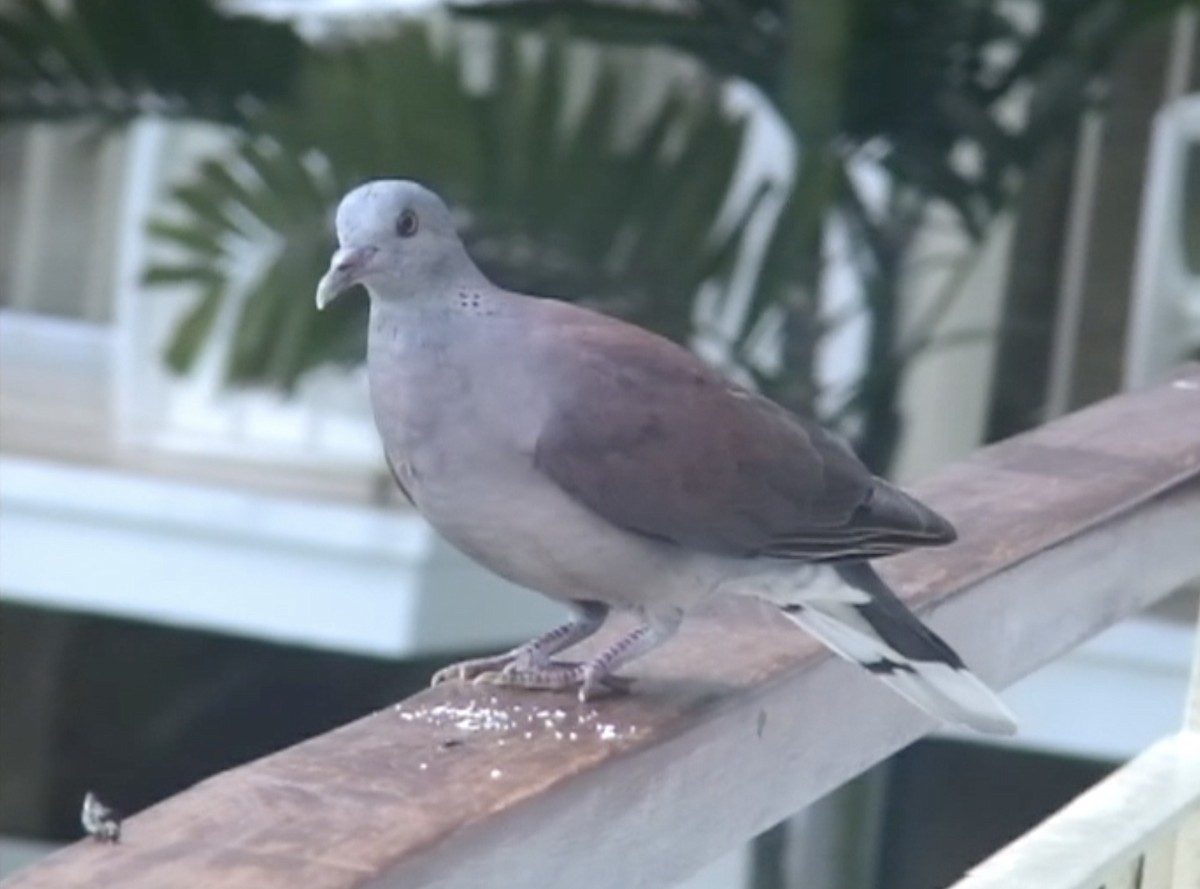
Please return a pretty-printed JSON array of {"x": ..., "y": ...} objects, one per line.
[{"x": 736, "y": 725}]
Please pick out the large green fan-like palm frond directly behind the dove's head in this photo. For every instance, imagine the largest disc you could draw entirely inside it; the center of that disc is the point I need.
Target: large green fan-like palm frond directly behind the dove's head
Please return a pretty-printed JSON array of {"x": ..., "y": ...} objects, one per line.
[{"x": 559, "y": 201}]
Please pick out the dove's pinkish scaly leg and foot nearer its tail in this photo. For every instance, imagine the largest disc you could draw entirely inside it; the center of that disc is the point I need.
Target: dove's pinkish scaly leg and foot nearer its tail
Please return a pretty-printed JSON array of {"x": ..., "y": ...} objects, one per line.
[{"x": 596, "y": 677}]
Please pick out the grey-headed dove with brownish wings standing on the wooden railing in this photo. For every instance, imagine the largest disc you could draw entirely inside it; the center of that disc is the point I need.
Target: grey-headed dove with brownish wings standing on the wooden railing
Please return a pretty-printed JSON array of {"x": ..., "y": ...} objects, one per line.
[{"x": 611, "y": 471}]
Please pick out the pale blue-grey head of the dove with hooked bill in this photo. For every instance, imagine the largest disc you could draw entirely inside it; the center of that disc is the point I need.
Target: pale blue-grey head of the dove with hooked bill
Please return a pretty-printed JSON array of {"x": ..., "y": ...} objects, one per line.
[{"x": 398, "y": 239}]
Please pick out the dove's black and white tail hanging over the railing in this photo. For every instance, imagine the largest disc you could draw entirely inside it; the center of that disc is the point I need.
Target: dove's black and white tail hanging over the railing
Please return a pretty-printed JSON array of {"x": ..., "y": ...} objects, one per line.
[{"x": 884, "y": 636}]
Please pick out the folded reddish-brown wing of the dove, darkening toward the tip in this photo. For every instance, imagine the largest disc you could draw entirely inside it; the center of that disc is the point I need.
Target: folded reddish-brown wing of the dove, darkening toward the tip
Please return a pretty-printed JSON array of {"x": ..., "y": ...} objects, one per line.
[{"x": 650, "y": 439}]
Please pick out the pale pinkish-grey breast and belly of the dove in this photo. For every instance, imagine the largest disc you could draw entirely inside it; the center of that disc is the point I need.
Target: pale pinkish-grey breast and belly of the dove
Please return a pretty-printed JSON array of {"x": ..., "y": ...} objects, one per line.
[{"x": 461, "y": 434}]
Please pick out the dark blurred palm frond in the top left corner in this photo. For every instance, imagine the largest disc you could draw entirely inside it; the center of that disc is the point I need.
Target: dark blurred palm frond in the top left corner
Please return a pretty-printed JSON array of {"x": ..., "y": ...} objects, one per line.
[{"x": 119, "y": 59}]
